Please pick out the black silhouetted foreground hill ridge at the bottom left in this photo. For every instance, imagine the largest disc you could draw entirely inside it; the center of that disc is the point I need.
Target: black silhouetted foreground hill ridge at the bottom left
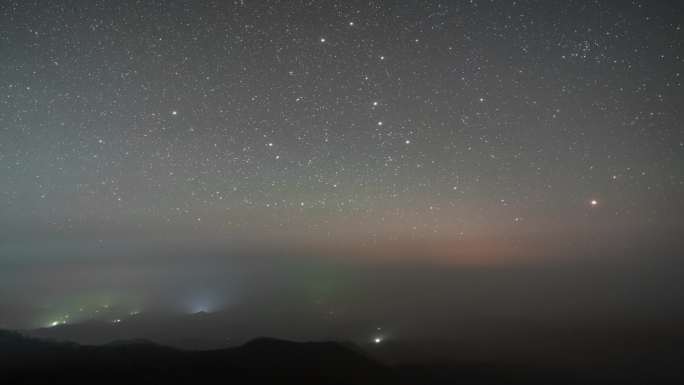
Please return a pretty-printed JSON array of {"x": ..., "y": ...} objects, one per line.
[{"x": 25, "y": 360}]
